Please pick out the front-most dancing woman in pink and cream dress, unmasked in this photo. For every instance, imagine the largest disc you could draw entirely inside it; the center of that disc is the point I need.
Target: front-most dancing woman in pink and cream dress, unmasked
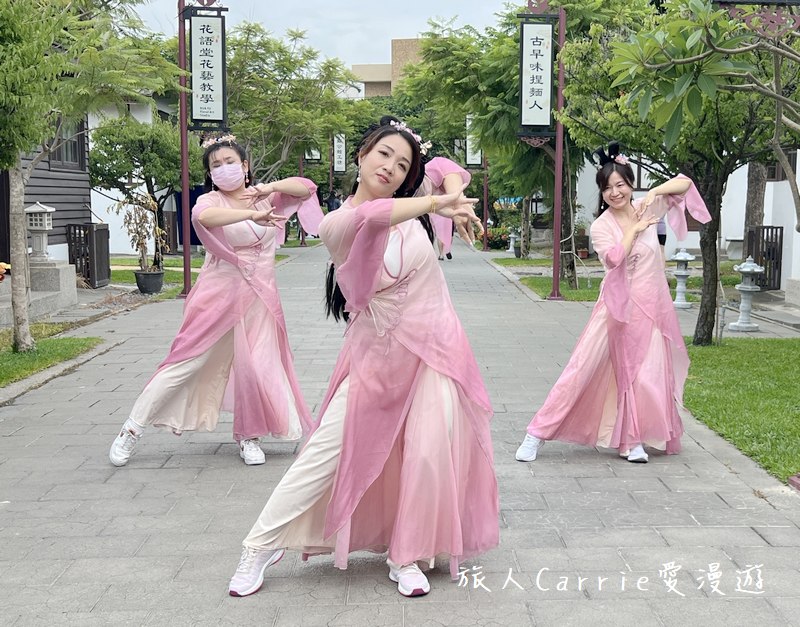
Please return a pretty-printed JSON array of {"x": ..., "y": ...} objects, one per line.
[{"x": 401, "y": 460}]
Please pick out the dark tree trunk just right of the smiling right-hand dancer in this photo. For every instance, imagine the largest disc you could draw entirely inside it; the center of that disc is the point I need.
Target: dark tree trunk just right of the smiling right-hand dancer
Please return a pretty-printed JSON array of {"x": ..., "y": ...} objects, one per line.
[{"x": 710, "y": 189}]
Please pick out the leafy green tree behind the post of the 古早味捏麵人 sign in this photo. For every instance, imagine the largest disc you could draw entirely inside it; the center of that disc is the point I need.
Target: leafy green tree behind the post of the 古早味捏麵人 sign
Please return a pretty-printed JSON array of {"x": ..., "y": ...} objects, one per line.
[{"x": 464, "y": 71}]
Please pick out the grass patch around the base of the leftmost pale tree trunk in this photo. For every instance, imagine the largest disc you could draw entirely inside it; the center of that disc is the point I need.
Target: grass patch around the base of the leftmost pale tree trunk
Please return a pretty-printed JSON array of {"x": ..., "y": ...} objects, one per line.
[{"x": 49, "y": 351}]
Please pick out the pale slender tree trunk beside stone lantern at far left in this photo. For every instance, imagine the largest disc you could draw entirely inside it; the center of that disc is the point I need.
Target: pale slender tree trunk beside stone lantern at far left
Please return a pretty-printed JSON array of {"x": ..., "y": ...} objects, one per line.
[{"x": 20, "y": 289}]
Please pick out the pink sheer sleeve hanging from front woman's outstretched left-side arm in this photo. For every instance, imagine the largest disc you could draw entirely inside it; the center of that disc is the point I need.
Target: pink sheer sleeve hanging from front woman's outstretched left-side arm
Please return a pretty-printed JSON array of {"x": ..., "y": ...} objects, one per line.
[{"x": 356, "y": 239}]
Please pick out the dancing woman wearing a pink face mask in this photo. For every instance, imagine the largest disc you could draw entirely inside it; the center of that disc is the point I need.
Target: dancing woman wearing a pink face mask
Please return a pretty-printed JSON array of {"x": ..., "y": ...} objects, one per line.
[{"x": 231, "y": 351}]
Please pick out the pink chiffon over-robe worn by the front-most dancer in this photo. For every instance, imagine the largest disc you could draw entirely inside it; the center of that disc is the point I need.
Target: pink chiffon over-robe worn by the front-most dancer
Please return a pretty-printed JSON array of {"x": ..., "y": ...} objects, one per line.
[{"x": 392, "y": 334}]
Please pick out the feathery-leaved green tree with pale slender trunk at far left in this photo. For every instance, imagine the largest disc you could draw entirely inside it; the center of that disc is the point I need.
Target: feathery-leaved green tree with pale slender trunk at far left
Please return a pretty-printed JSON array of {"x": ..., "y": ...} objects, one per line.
[{"x": 73, "y": 58}]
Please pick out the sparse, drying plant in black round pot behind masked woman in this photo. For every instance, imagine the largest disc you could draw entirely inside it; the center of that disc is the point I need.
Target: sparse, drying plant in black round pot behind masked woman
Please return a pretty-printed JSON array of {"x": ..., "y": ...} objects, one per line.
[{"x": 140, "y": 220}]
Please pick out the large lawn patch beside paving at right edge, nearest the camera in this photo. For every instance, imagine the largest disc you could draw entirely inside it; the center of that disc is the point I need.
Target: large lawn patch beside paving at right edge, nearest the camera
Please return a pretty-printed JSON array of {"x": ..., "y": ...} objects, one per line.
[{"x": 746, "y": 391}]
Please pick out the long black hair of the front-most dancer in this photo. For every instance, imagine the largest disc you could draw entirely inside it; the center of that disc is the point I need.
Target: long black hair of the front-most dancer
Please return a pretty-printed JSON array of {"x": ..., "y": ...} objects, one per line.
[{"x": 335, "y": 301}]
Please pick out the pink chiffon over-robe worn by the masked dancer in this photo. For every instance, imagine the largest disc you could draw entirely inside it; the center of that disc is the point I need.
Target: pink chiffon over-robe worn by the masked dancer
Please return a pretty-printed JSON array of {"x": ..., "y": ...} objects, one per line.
[{"x": 213, "y": 308}]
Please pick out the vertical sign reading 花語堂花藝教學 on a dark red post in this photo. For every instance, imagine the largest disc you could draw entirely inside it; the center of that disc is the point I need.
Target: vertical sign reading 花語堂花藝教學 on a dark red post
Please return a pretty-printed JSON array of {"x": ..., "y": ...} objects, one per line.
[{"x": 207, "y": 37}]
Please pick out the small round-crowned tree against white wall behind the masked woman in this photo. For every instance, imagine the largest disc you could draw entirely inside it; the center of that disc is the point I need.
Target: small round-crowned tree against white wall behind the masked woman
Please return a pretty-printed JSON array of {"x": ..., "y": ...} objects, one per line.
[{"x": 136, "y": 158}]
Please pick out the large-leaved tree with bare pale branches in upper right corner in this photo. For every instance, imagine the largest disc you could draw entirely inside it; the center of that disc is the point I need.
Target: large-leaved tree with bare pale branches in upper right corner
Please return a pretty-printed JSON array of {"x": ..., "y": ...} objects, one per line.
[{"x": 683, "y": 62}]
